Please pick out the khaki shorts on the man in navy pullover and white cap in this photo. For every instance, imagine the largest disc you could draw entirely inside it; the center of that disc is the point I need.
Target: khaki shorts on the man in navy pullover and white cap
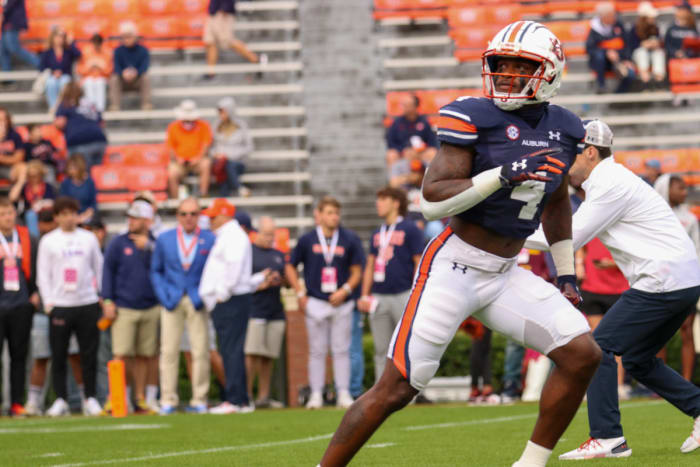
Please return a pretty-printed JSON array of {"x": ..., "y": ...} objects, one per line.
[{"x": 135, "y": 332}]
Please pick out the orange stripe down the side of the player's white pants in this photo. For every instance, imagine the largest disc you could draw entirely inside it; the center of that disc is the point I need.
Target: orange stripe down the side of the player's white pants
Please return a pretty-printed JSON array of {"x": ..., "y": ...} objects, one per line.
[{"x": 399, "y": 355}]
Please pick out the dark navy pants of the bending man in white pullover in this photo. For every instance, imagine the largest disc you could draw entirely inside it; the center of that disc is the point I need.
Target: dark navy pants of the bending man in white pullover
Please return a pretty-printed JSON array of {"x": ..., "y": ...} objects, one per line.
[{"x": 637, "y": 326}]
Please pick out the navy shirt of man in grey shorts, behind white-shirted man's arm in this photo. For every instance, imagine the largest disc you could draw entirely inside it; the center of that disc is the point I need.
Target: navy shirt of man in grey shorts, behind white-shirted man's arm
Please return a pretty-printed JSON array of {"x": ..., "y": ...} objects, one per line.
[{"x": 267, "y": 304}]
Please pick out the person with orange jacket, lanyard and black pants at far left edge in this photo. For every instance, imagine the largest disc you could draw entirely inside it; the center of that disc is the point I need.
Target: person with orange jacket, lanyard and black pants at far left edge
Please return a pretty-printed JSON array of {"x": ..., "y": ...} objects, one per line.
[{"x": 18, "y": 298}]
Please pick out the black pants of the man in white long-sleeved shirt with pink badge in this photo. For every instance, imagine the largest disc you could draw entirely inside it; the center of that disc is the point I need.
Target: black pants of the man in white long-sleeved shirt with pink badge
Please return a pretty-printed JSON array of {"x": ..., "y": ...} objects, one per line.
[{"x": 83, "y": 321}]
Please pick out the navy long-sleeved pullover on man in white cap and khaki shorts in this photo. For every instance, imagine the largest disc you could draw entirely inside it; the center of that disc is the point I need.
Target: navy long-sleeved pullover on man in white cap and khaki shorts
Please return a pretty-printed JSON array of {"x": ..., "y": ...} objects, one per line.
[{"x": 125, "y": 275}]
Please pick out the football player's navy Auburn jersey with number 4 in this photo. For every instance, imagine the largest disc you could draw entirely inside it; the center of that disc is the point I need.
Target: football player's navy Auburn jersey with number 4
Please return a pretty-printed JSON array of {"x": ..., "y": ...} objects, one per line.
[{"x": 499, "y": 137}]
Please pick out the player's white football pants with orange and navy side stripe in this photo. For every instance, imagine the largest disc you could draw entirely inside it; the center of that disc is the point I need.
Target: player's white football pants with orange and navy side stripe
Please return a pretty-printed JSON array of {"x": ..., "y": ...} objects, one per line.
[{"x": 456, "y": 280}]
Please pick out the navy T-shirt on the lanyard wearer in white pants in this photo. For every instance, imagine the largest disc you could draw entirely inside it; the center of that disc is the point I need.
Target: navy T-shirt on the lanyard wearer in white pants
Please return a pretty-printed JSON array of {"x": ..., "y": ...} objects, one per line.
[{"x": 348, "y": 253}]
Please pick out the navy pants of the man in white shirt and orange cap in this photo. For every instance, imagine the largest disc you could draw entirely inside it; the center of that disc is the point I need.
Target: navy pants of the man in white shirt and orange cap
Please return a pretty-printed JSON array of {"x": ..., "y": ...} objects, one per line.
[{"x": 231, "y": 323}]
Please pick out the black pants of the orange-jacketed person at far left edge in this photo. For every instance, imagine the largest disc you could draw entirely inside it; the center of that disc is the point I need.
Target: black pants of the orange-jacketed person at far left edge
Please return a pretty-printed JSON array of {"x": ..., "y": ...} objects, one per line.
[{"x": 16, "y": 327}]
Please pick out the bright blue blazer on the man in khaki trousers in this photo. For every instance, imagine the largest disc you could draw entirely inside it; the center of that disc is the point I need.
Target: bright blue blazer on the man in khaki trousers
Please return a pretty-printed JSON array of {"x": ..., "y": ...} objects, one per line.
[{"x": 170, "y": 280}]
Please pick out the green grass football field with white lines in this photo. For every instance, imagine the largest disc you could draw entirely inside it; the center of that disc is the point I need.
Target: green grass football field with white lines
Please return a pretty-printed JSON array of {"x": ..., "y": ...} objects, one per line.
[{"x": 418, "y": 436}]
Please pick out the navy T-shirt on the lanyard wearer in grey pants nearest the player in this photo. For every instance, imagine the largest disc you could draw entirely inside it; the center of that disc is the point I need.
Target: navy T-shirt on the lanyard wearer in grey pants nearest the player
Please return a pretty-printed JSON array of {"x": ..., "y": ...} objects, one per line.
[{"x": 405, "y": 243}]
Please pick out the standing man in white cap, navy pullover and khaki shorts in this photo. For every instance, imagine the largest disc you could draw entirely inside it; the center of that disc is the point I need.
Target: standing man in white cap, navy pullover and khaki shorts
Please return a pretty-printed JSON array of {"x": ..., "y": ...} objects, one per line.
[{"x": 129, "y": 300}]
